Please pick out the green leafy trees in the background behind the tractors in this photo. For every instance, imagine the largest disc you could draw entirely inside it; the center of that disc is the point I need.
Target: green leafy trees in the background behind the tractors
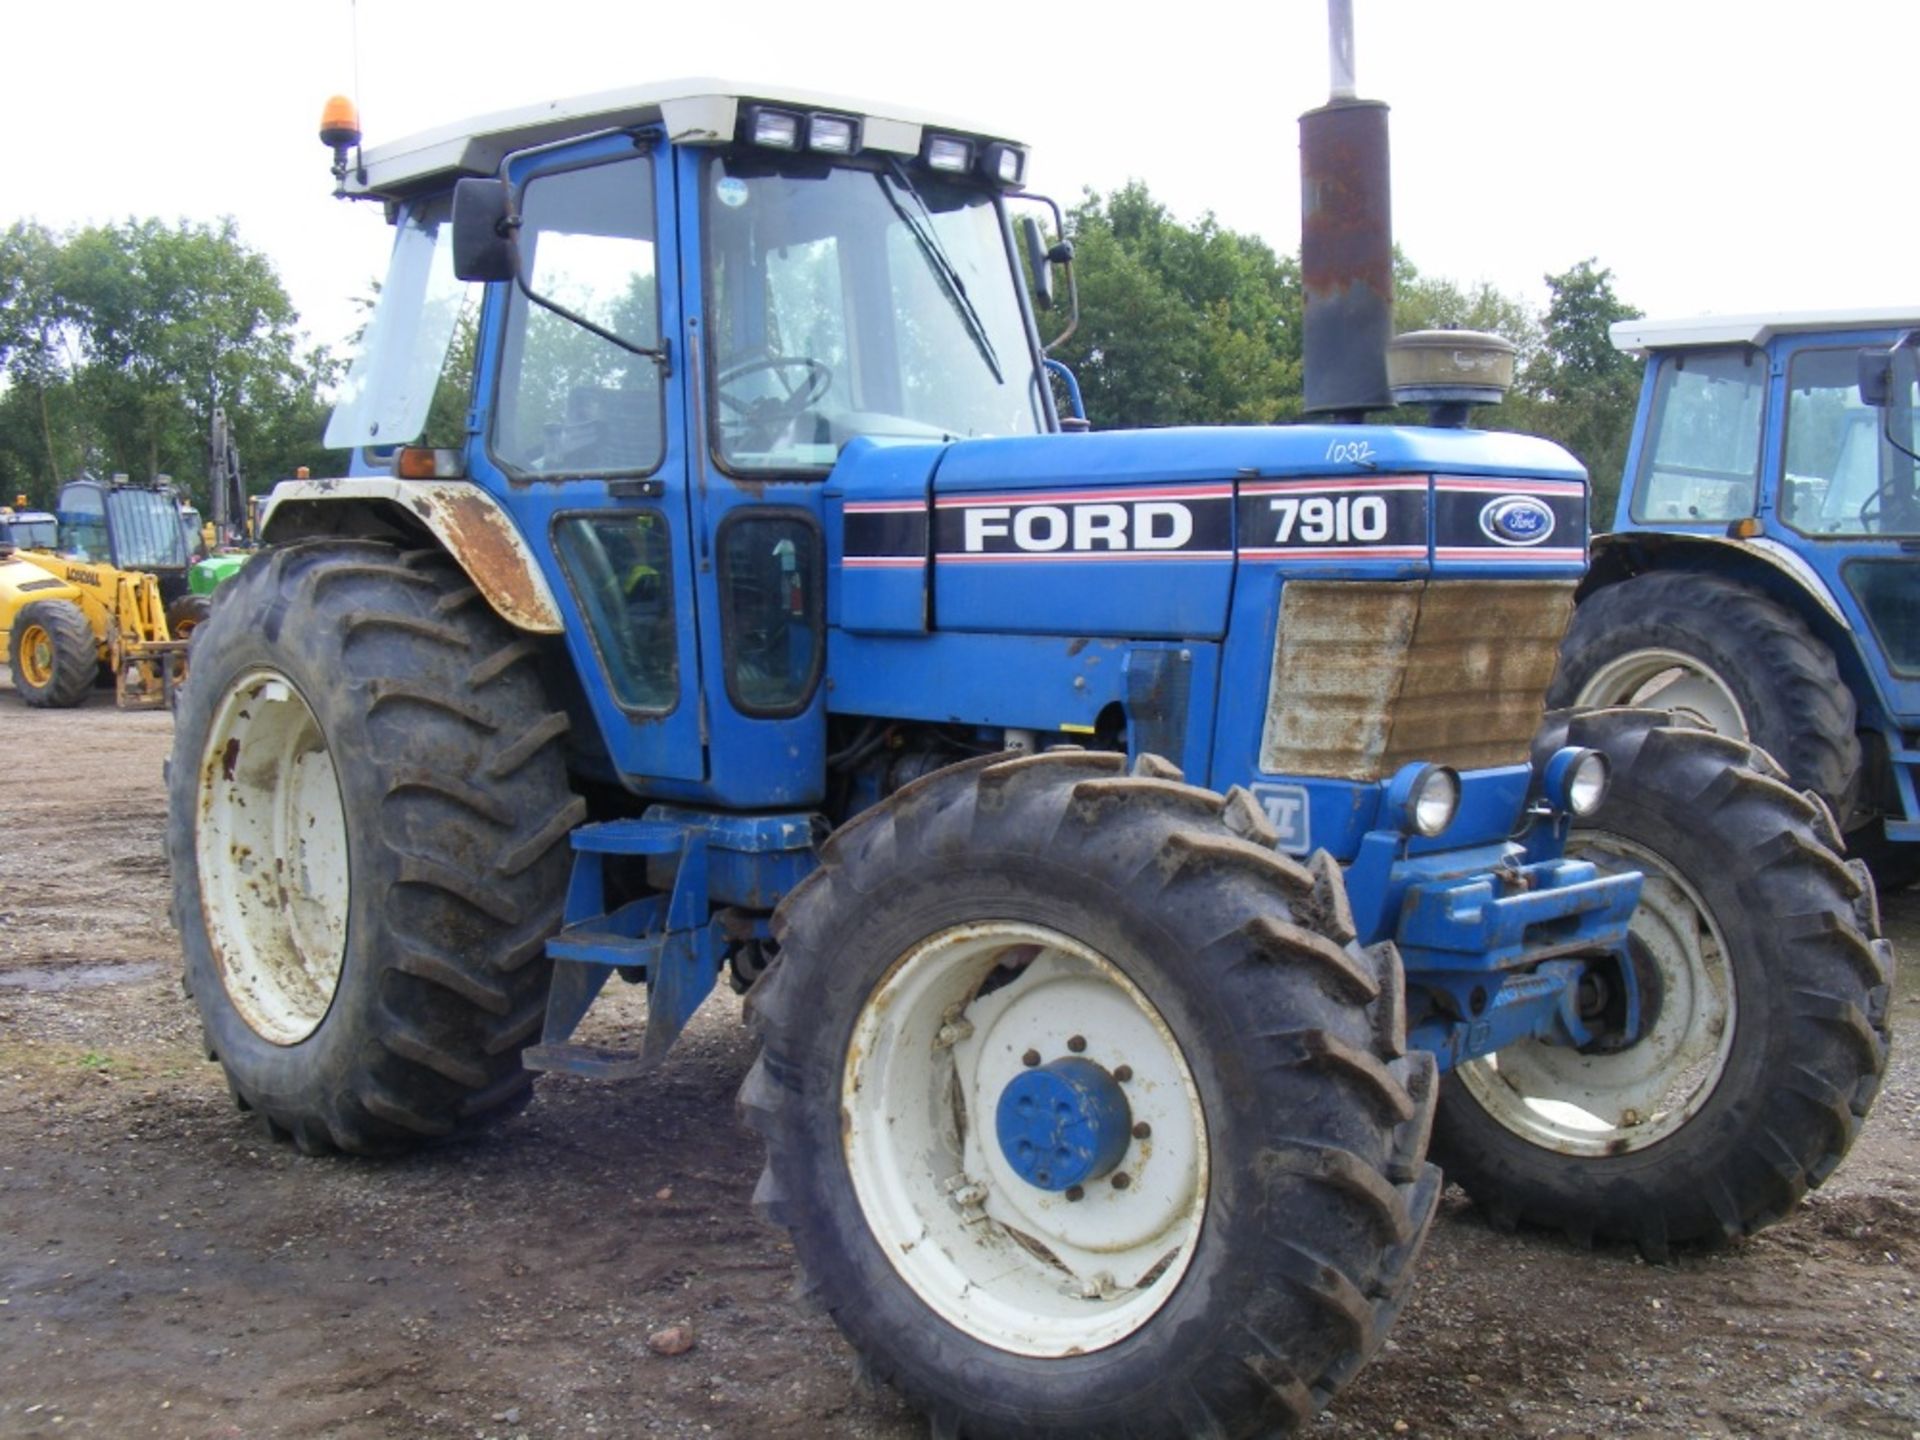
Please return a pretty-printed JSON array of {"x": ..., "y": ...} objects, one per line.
[{"x": 118, "y": 341}]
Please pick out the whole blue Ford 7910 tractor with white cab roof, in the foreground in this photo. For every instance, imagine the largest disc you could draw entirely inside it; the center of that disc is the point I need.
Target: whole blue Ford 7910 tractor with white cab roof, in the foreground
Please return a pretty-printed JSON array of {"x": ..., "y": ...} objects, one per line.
[{"x": 1116, "y": 836}]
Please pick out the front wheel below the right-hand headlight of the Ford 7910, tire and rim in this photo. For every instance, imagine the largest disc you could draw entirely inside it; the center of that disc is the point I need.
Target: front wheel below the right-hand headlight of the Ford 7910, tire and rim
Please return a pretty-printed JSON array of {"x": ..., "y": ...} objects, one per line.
[{"x": 1767, "y": 999}]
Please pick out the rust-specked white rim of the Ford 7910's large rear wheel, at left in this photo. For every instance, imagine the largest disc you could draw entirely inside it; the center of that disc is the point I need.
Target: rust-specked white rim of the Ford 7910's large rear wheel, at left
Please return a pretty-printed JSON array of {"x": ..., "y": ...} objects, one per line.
[{"x": 274, "y": 859}]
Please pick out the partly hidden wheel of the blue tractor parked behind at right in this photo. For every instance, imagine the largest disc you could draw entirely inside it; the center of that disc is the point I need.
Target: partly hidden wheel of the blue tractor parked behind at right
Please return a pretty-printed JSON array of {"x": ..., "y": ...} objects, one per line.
[{"x": 1725, "y": 658}]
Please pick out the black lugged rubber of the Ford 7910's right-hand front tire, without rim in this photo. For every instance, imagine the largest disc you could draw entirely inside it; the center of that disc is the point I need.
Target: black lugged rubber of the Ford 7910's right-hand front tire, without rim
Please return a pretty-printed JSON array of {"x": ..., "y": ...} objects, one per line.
[{"x": 1735, "y": 1170}]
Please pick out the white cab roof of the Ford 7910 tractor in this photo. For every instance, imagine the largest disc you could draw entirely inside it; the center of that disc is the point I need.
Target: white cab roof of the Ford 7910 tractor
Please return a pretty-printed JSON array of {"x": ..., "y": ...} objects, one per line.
[{"x": 694, "y": 112}]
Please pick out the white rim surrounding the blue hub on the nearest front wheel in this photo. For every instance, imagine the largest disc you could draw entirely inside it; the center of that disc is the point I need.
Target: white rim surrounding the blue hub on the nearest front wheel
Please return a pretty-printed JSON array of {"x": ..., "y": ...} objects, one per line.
[{"x": 1007, "y": 1262}]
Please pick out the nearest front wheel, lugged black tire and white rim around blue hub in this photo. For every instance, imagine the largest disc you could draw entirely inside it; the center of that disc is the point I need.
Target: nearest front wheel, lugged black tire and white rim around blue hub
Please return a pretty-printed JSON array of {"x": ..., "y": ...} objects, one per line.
[{"x": 1015, "y": 917}]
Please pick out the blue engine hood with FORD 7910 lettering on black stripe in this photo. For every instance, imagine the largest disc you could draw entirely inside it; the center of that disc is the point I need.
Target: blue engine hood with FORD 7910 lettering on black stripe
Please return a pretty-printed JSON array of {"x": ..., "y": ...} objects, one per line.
[{"x": 1143, "y": 533}]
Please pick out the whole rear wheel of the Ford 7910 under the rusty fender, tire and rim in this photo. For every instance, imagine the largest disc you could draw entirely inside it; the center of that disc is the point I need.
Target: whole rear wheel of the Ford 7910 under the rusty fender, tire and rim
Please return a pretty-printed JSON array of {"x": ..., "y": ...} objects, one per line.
[{"x": 368, "y": 825}]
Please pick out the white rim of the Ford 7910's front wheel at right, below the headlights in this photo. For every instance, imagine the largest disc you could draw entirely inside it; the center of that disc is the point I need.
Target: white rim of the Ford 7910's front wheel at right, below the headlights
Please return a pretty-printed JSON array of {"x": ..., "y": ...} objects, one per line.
[{"x": 1608, "y": 1105}]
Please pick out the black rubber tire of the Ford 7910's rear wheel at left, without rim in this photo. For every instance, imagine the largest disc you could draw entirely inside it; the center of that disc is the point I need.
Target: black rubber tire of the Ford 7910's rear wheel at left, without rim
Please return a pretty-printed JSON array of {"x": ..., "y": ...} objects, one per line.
[{"x": 462, "y": 821}]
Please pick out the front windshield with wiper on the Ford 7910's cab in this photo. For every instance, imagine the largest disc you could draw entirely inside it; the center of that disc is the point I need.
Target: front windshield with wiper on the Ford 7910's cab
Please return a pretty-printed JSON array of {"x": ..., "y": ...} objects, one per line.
[{"x": 857, "y": 302}]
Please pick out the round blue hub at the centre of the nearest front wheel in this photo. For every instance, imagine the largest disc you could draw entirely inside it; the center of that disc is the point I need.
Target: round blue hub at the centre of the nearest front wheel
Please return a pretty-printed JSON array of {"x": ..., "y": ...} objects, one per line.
[{"x": 1063, "y": 1124}]
